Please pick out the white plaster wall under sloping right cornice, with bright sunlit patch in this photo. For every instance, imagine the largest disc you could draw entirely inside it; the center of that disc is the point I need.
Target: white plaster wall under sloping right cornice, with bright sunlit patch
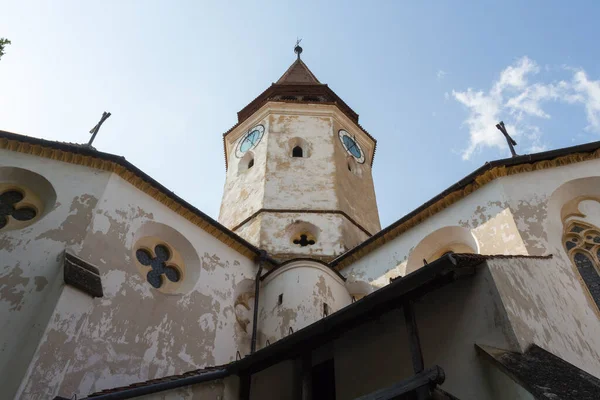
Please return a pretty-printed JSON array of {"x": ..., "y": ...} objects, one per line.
[{"x": 506, "y": 216}]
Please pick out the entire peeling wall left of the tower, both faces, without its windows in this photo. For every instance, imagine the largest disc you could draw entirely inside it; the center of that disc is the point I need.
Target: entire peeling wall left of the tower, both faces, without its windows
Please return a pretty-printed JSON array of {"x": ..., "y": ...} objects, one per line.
[{"x": 134, "y": 332}]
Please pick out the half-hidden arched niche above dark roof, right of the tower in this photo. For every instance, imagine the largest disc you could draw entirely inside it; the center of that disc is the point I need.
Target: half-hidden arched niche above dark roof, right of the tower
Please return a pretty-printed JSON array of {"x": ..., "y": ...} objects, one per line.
[{"x": 454, "y": 239}]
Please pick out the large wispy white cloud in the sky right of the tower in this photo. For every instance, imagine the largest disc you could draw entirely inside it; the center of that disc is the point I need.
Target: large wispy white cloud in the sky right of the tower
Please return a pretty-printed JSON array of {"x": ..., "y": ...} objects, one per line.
[{"x": 515, "y": 100}]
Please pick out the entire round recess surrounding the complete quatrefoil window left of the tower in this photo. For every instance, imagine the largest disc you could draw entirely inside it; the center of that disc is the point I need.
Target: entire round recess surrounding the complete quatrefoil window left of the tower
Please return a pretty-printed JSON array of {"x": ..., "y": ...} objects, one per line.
[{"x": 183, "y": 256}]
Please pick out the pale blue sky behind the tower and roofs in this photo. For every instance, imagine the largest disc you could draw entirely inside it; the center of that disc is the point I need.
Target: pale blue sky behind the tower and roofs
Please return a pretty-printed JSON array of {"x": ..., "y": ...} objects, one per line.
[{"x": 428, "y": 79}]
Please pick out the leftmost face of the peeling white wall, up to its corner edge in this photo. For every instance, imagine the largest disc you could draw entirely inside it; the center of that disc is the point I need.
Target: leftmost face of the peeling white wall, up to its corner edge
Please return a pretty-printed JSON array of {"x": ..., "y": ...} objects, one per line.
[{"x": 31, "y": 259}]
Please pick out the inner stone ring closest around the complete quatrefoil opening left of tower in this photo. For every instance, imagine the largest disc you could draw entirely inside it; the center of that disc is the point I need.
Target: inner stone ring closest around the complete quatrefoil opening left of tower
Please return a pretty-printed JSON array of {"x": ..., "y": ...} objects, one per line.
[{"x": 149, "y": 243}]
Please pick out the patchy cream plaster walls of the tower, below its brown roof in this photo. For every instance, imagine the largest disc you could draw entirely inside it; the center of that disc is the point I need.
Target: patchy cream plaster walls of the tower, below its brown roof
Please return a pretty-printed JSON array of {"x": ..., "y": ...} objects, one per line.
[{"x": 319, "y": 181}]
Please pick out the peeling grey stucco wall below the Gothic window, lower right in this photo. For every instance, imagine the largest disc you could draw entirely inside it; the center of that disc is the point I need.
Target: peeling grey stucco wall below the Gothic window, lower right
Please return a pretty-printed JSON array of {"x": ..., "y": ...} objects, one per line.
[{"x": 547, "y": 306}]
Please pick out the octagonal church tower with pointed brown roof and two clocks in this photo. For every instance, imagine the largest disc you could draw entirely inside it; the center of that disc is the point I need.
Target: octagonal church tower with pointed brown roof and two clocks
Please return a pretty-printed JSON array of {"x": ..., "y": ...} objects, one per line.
[{"x": 299, "y": 180}]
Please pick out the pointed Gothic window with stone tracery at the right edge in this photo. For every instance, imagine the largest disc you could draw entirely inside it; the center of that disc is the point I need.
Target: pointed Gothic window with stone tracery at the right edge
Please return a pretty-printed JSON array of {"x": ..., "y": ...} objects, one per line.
[{"x": 582, "y": 243}]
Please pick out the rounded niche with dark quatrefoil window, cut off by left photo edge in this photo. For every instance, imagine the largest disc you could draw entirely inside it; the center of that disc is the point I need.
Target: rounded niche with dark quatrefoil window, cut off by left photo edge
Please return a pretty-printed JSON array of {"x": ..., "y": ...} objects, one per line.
[{"x": 36, "y": 193}]
